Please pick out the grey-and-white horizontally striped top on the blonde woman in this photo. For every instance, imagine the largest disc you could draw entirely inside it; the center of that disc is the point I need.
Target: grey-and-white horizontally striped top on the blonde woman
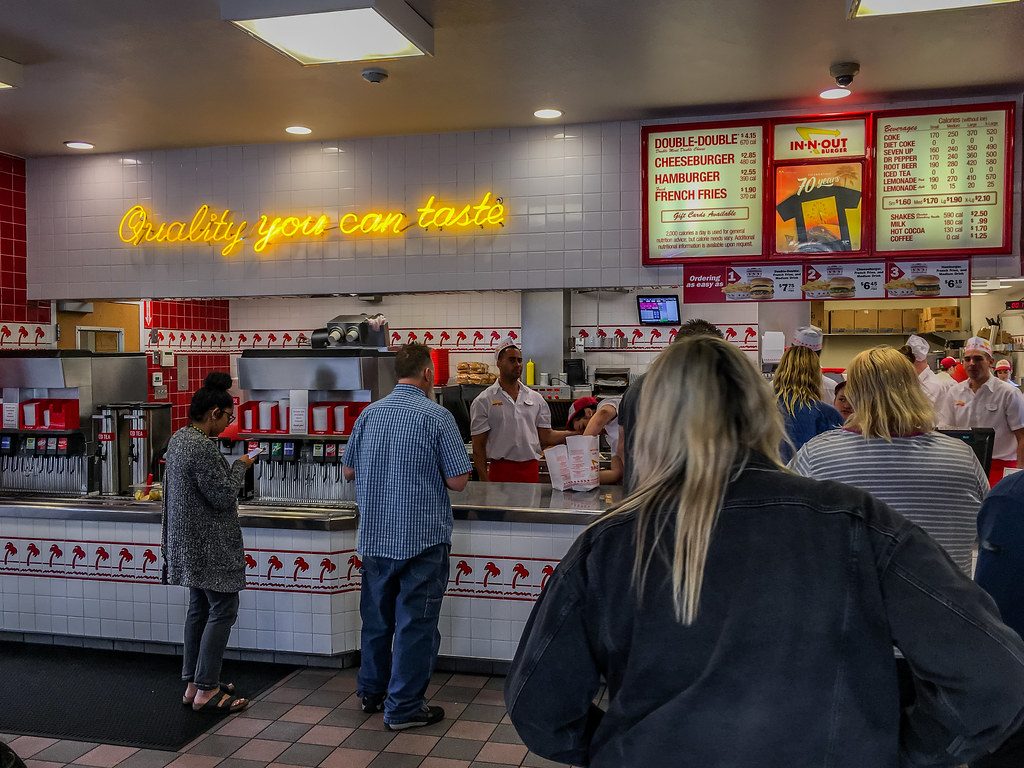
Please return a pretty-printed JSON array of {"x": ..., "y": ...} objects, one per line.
[{"x": 932, "y": 480}]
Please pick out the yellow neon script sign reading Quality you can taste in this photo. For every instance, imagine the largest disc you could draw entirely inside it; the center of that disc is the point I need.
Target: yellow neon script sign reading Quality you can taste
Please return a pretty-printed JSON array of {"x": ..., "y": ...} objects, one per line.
[{"x": 139, "y": 229}]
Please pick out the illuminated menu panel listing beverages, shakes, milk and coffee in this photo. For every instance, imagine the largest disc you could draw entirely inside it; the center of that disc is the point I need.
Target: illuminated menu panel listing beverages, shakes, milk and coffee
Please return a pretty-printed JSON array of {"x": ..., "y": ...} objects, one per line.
[{"x": 942, "y": 182}]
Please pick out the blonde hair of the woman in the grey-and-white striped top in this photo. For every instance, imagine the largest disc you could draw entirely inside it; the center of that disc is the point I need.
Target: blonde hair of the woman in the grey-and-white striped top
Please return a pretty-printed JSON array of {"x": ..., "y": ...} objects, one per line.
[{"x": 887, "y": 396}]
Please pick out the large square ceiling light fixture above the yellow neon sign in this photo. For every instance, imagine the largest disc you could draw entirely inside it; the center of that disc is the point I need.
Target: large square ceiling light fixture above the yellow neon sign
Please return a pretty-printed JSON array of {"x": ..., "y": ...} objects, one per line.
[{"x": 315, "y": 33}]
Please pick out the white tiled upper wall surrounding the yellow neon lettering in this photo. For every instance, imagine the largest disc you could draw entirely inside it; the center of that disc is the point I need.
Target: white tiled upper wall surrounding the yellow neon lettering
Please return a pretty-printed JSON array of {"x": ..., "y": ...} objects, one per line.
[{"x": 573, "y": 216}]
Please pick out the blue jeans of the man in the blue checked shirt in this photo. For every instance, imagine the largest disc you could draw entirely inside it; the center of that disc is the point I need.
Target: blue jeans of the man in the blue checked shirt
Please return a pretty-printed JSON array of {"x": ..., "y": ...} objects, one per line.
[{"x": 400, "y": 604}]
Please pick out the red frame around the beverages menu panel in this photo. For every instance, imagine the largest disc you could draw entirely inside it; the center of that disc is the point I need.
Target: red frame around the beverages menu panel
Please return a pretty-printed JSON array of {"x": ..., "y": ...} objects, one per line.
[{"x": 1006, "y": 246}]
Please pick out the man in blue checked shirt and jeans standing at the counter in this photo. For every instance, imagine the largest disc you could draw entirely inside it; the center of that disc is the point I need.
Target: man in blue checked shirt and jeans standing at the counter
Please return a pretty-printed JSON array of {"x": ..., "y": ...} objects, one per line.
[{"x": 405, "y": 453}]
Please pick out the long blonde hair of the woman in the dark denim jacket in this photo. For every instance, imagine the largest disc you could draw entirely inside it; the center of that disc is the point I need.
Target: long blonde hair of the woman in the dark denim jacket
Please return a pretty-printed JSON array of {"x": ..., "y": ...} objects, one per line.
[{"x": 703, "y": 410}]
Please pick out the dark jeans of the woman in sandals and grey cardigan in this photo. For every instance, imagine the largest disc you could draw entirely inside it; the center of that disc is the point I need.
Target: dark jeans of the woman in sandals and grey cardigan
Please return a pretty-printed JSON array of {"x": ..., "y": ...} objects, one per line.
[{"x": 208, "y": 625}]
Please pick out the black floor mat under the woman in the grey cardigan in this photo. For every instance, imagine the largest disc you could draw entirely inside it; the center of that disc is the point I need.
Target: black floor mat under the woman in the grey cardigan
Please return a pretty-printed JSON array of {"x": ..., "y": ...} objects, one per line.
[{"x": 110, "y": 698}]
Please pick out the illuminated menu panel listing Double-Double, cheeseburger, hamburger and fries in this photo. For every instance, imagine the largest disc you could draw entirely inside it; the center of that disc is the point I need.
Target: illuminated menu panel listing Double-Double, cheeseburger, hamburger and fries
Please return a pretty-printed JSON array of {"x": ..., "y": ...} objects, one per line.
[{"x": 703, "y": 192}]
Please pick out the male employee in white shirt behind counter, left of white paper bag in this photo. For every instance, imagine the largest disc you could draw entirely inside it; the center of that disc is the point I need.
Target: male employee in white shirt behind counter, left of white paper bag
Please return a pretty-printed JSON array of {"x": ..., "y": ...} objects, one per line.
[{"x": 510, "y": 424}]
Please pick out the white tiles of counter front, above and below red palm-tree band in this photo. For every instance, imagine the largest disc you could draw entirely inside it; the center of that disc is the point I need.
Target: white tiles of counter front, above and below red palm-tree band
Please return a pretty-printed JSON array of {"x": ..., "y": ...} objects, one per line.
[{"x": 482, "y": 627}]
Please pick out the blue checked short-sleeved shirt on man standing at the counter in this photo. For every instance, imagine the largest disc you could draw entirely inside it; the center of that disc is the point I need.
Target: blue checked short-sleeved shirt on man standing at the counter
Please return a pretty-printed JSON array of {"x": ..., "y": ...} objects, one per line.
[{"x": 403, "y": 448}]
